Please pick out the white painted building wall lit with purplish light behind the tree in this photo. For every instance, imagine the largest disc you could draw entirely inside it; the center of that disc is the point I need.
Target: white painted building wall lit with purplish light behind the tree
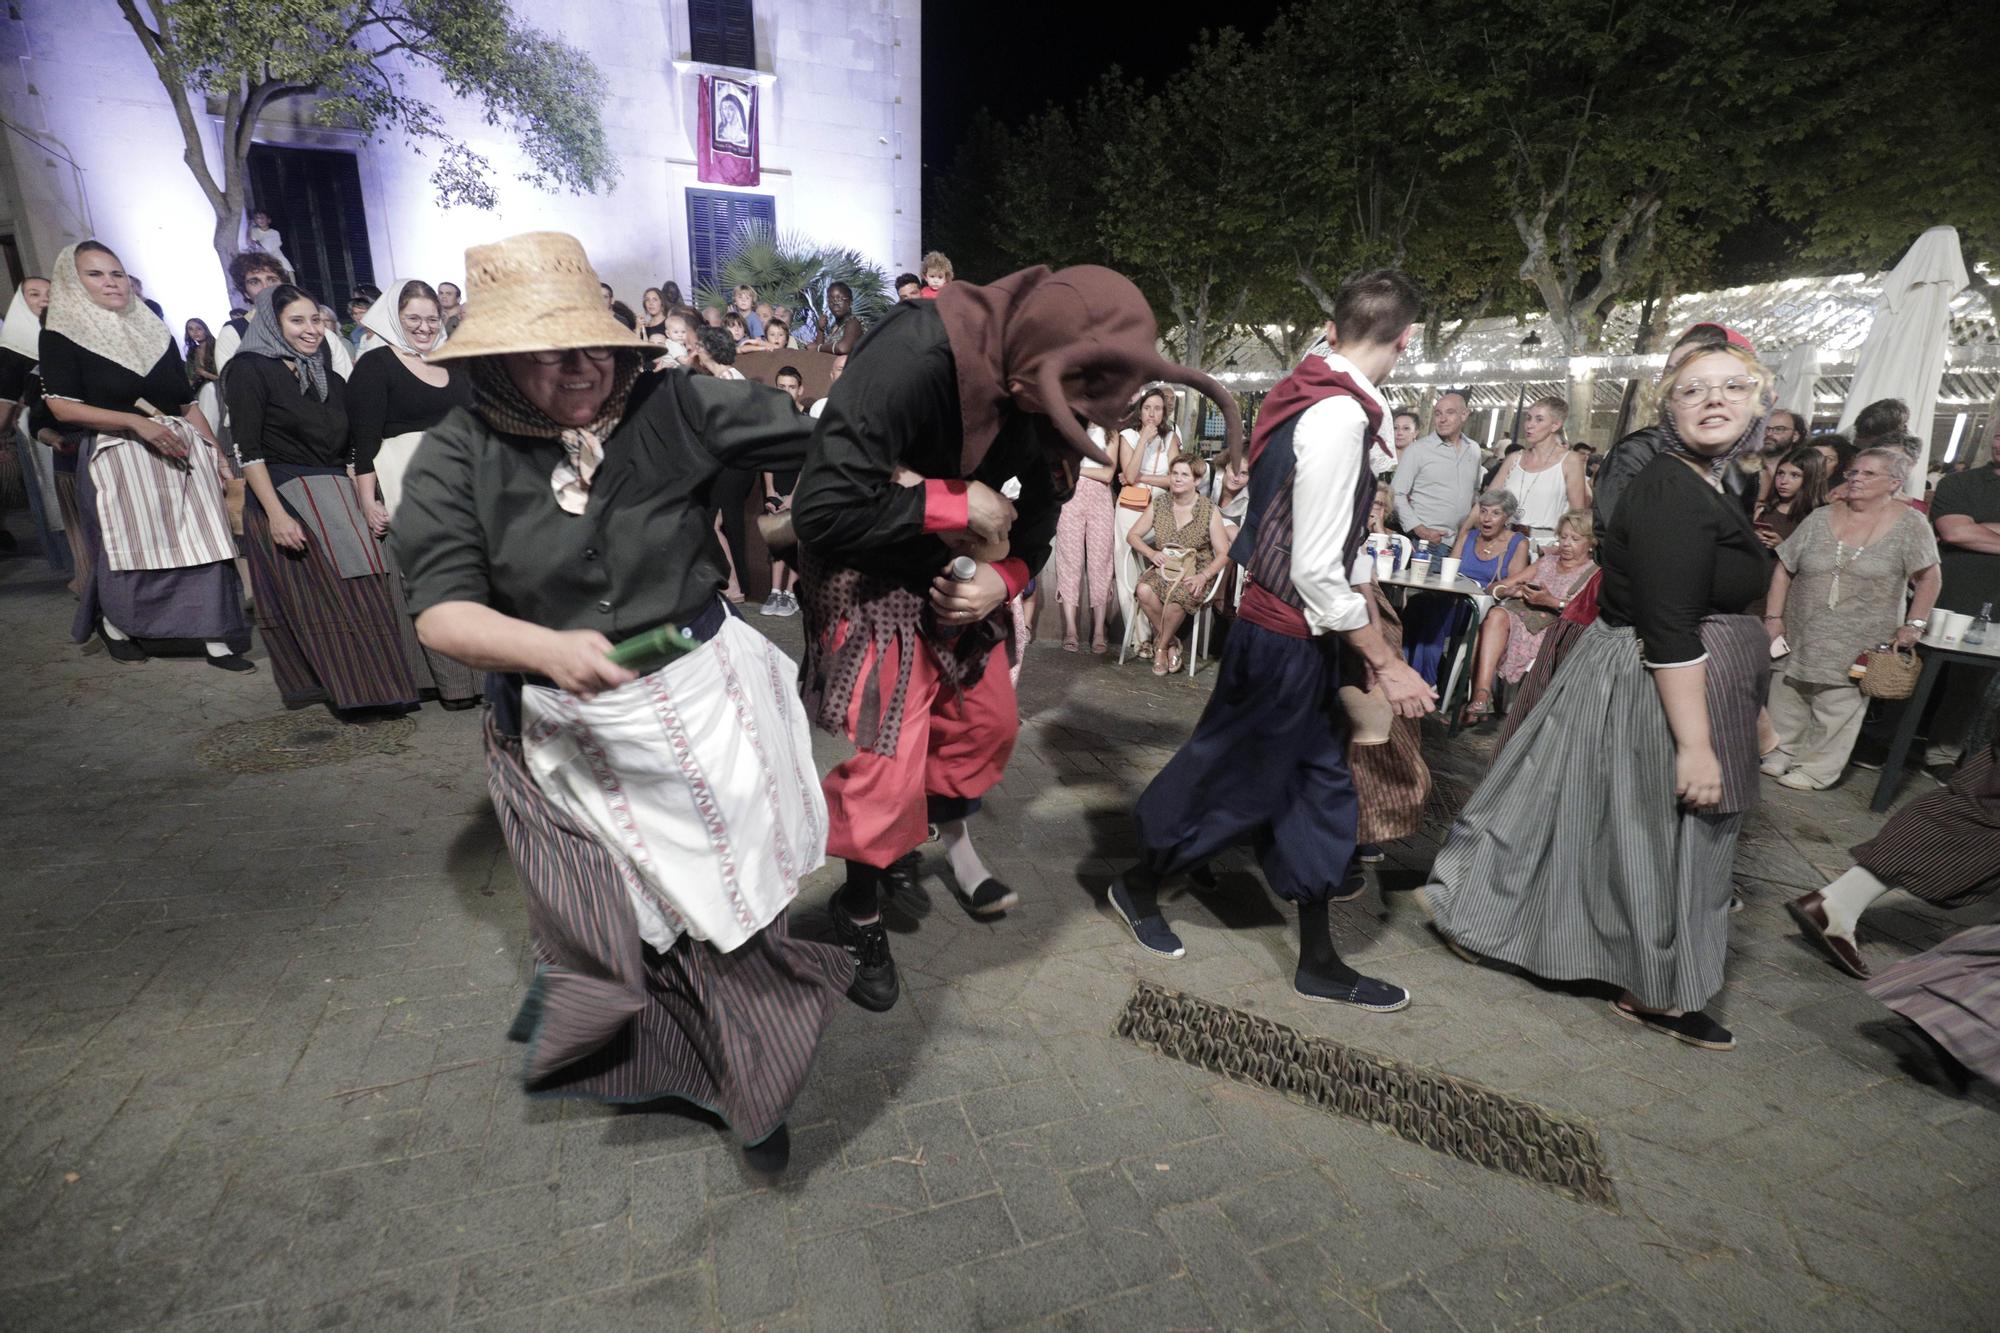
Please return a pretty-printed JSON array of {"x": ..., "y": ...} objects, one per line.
[{"x": 839, "y": 121}]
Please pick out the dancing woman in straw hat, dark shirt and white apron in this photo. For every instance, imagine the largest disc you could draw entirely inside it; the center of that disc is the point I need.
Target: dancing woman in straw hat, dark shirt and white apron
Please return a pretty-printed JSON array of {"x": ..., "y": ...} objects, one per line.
[{"x": 661, "y": 822}]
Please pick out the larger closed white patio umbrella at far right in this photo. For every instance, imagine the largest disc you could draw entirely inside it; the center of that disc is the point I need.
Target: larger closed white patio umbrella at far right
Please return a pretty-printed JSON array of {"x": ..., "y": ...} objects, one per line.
[{"x": 1905, "y": 349}]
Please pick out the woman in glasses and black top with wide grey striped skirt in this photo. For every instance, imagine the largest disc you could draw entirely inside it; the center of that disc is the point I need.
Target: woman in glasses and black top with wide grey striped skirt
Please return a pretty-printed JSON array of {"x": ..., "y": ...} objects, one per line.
[{"x": 1601, "y": 842}]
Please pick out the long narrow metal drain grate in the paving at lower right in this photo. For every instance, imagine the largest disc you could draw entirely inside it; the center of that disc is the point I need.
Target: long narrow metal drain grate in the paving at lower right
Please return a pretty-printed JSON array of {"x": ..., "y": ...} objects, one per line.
[{"x": 1423, "y": 1106}]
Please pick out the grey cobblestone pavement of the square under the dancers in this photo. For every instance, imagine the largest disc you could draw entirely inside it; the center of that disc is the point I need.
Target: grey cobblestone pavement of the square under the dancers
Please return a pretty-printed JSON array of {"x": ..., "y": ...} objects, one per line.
[{"x": 255, "y": 1078}]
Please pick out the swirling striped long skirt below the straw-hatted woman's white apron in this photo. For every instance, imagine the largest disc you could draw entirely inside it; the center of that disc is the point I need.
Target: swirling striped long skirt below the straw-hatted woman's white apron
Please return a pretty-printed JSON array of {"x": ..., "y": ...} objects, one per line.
[{"x": 613, "y": 1020}]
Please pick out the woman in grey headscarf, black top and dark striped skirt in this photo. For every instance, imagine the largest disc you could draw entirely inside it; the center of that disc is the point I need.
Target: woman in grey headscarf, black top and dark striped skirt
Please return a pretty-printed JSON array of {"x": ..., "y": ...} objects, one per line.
[{"x": 323, "y": 591}]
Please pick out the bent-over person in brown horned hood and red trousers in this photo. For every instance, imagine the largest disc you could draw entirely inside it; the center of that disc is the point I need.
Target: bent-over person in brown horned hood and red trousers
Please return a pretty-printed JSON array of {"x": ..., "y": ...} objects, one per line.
[{"x": 953, "y": 433}]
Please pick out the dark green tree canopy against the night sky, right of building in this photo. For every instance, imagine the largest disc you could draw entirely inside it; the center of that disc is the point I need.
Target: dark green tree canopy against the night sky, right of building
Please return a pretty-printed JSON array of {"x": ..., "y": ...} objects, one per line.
[{"x": 1505, "y": 153}]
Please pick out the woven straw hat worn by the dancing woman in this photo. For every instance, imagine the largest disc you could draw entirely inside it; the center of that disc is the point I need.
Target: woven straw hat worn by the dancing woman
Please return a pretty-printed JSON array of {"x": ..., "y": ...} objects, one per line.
[{"x": 533, "y": 293}]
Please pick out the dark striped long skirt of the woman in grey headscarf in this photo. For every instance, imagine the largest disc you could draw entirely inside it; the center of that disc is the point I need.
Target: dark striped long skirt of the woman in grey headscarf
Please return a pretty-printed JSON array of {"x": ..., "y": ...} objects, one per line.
[{"x": 331, "y": 639}]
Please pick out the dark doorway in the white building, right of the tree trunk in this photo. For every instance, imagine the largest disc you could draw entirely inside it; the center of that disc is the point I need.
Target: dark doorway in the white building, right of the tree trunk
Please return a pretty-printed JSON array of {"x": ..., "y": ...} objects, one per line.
[{"x": 315, "y": 203}]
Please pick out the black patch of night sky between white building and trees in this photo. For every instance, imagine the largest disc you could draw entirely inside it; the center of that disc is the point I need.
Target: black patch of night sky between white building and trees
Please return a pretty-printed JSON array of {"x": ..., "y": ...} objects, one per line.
[{"x": 1019, "y": 57}]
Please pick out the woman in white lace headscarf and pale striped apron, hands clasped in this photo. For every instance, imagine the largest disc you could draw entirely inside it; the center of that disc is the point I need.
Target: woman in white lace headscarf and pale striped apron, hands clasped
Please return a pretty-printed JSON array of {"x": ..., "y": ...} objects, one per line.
[{"x": 115, "y": 379}]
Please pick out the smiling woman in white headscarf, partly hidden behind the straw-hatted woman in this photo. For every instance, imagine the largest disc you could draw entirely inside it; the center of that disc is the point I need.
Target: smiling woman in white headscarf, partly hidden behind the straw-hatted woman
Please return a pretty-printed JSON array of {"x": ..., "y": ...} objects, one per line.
[{"x": 395, "y": 397}]
